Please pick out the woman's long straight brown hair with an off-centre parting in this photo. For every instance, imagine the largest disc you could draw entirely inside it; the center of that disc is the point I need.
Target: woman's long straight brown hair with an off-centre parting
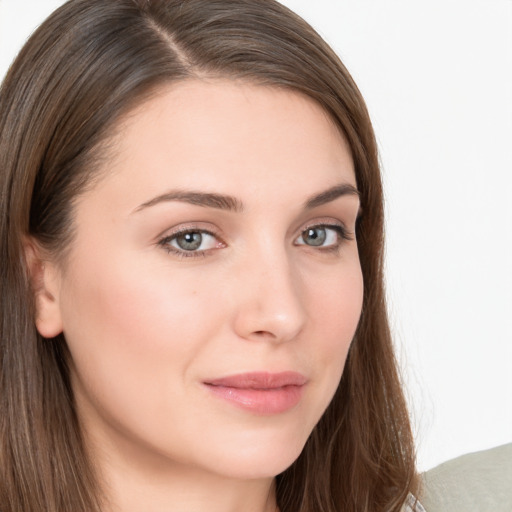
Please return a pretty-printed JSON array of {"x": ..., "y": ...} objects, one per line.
[{"x": 89, "y": 64}]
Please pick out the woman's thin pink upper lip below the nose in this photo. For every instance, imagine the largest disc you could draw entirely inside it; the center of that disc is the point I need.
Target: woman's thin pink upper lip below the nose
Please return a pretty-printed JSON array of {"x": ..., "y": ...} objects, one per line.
[{"x": 260, "y": 380}]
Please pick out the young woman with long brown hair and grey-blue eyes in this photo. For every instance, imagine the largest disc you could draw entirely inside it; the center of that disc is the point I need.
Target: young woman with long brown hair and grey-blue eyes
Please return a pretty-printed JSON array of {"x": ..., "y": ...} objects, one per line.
[{"x": 193, "y": 314}]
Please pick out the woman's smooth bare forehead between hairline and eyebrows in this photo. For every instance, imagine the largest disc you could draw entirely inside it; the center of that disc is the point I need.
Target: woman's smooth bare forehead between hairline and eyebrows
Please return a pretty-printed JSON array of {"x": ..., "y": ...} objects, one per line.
[{"x": 227, "y": 136}]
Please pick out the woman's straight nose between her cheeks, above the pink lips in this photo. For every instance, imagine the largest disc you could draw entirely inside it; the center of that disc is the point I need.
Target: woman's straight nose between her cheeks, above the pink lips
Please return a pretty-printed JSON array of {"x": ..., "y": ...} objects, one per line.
[{"x": 269, "y": 299}]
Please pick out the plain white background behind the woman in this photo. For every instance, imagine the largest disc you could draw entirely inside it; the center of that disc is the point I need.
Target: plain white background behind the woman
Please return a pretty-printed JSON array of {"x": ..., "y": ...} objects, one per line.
[{"x": 437, "y": 77}]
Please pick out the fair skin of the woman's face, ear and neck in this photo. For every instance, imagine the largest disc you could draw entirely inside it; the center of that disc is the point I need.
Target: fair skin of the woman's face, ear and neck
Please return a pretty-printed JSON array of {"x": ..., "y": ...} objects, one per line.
[{"x": 165, "y": 292}]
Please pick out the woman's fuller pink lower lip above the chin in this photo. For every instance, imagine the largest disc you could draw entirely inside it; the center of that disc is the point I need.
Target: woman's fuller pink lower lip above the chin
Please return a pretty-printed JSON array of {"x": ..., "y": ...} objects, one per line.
[{"x": 260, "y": 401}]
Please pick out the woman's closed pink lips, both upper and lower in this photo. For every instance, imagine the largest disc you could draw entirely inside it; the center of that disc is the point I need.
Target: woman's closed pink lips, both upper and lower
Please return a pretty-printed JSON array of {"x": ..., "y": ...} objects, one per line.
[{"x": 260, "y": 392}]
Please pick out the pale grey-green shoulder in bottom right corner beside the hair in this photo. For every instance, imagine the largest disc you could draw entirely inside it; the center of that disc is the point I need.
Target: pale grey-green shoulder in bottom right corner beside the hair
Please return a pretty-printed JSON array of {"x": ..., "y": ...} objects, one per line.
[{"x": 478, "y": 481}]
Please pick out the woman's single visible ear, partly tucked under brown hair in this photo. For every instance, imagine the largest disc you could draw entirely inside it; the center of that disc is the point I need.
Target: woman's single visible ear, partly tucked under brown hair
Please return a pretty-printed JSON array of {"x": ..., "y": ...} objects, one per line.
[{"x": 45, "y": 282}]
